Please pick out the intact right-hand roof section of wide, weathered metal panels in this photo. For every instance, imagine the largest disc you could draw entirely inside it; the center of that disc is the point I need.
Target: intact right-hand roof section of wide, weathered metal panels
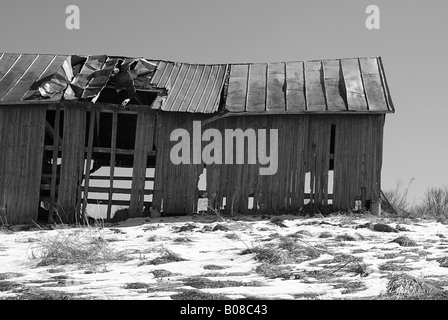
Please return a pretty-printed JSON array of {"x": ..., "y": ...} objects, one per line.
[{"x": 322, "y": 86}]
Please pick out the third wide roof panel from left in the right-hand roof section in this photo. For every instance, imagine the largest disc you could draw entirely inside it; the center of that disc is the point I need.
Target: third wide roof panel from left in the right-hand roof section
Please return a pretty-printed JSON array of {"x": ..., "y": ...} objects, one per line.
[{"x": 276, "y": 87}]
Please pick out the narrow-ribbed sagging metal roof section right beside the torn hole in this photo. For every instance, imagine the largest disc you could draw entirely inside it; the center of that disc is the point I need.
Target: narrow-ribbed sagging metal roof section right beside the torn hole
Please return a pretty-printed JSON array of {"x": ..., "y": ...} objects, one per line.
[{"x": 190, "y": 87}]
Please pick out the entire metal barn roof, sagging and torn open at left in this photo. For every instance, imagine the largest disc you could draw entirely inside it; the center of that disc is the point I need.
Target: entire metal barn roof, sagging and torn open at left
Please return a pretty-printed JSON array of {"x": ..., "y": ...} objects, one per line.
[{"x": 323, "y": 86}]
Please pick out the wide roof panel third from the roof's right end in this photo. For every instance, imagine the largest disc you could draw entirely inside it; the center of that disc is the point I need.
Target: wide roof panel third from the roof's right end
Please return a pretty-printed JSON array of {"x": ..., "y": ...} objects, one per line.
[{"x": 332, "y": 85}]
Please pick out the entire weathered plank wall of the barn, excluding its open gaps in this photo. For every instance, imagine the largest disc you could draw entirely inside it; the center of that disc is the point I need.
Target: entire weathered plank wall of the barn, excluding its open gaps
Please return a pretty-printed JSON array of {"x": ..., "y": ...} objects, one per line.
[{"x": 303, "y": 145}]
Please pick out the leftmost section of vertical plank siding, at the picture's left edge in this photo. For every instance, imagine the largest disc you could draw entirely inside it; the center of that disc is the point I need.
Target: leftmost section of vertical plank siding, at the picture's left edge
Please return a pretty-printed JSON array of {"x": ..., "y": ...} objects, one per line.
[{"x": 22, "y": 130}]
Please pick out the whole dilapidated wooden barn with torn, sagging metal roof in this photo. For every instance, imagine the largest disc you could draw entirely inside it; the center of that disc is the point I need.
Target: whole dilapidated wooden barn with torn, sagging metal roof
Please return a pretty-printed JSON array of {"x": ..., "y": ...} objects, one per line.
[{"x": 64, "y": 118}]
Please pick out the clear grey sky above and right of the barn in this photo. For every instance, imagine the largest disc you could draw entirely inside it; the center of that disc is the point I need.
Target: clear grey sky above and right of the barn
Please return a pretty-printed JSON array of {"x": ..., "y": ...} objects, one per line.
[{"x": 412, "y": 41}]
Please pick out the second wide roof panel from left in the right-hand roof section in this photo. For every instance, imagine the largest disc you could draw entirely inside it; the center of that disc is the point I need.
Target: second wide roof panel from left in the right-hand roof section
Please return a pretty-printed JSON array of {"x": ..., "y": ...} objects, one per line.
[{"x": 256, "y": 97}]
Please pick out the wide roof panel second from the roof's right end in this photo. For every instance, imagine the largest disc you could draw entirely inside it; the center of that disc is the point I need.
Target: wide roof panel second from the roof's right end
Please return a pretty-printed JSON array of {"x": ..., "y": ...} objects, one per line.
[{"x": 353, "y": 83}]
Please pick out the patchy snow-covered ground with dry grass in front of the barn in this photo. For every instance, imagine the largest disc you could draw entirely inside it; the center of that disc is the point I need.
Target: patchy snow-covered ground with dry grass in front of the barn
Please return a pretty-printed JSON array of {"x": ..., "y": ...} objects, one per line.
[{"x": 345, "y": 259}]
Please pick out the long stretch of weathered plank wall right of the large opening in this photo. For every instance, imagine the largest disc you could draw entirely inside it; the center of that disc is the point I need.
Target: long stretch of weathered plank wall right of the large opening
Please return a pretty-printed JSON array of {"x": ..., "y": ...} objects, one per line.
[{"x": 304, "y": 147}]
